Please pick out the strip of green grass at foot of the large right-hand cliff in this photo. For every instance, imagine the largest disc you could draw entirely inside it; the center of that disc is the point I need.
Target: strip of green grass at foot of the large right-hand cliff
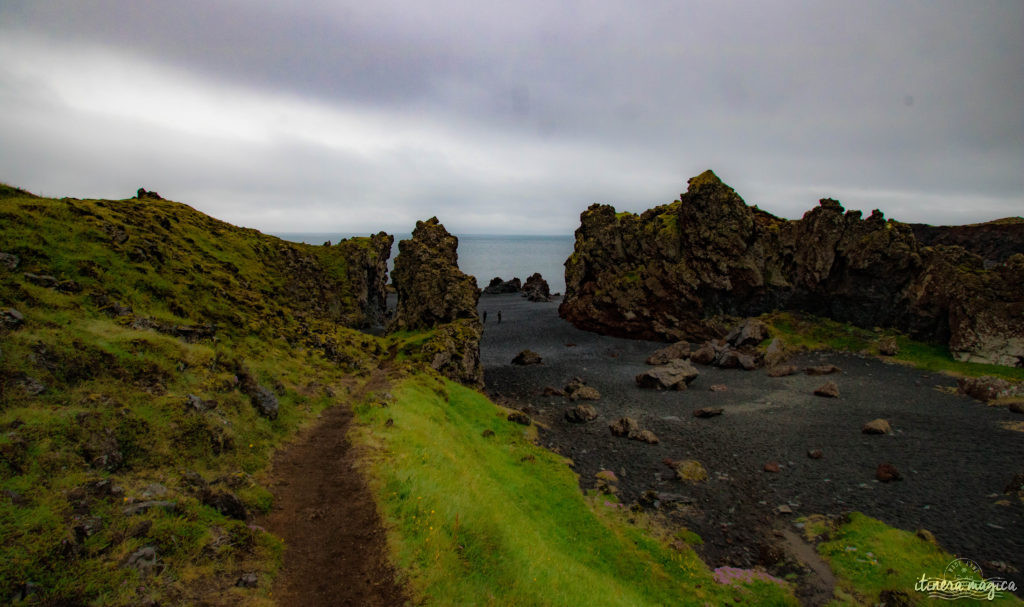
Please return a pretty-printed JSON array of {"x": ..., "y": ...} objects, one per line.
[{"x": 812, "y": 333}]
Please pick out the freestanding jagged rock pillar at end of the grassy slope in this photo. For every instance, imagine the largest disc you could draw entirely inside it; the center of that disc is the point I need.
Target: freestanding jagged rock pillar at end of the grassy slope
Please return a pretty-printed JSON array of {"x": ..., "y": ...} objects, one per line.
[{"x": 434, "y": 293}]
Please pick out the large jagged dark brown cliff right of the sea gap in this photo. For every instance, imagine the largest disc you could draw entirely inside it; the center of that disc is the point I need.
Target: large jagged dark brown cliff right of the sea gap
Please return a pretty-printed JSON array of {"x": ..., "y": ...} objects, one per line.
[{"x": 670, "y": 273}]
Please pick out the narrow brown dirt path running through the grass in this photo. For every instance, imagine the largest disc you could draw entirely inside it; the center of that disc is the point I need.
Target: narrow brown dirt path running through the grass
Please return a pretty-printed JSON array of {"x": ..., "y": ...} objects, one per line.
[{"x": 323, "y": 509}]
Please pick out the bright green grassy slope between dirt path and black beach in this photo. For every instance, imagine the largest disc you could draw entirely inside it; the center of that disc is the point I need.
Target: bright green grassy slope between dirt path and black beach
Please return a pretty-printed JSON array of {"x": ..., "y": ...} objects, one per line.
[{"x": 497, "y": 521}]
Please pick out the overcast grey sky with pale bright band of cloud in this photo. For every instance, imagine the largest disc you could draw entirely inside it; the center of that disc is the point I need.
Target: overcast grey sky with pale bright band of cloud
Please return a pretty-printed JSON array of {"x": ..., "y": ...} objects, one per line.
[{"x": 514, "y": 117}]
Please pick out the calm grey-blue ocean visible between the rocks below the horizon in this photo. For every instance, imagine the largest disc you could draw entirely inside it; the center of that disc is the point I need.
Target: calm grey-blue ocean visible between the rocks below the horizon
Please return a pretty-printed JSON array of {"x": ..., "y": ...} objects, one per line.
[{"x": 487, "y": 256}]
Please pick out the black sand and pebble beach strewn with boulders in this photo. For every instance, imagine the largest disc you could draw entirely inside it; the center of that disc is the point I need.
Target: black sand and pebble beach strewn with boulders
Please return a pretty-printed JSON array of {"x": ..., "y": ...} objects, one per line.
[{"x": 954, "y": 453}]
